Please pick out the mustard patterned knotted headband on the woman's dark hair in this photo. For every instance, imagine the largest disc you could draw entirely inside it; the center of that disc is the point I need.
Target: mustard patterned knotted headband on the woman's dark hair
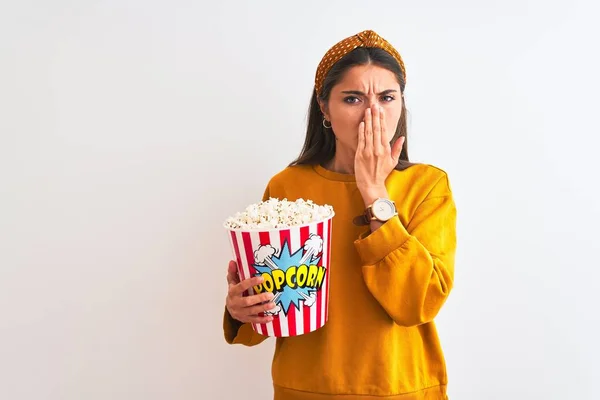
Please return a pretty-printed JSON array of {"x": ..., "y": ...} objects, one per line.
[{"x": 340, "y": 49}]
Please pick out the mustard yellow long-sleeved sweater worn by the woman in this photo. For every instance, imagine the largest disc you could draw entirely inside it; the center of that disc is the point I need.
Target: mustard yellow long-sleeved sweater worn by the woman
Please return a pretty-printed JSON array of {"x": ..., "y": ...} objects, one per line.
[{"x": 386, "y": 288}]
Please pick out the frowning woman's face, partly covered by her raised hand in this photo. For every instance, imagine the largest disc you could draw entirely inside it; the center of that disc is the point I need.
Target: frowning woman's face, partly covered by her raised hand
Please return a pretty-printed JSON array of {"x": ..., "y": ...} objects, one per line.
[{"x": 361, "y": 87}]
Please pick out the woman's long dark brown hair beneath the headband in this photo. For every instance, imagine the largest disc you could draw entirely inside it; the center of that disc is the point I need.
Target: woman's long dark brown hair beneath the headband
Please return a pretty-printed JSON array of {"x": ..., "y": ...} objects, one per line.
[{"x": 319, "y": 145}]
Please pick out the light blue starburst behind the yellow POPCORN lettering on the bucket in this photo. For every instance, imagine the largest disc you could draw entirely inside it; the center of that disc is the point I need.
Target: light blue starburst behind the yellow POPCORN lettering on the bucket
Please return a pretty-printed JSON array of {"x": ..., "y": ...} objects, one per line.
[{"x": 283, "y": 261}]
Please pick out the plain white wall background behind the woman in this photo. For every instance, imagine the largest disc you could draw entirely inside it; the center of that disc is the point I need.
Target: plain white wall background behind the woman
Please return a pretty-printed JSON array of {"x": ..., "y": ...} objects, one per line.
[{"x": 129, "y": 130}]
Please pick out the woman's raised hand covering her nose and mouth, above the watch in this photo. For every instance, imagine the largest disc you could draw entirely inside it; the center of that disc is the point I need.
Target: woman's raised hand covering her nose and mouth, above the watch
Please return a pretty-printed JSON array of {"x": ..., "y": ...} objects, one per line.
[{"x": 375, "y": 158}]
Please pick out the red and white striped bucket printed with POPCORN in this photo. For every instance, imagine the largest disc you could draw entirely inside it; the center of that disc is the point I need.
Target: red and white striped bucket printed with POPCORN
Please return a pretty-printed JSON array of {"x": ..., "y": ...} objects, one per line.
[{"x": 295, "y": 265}]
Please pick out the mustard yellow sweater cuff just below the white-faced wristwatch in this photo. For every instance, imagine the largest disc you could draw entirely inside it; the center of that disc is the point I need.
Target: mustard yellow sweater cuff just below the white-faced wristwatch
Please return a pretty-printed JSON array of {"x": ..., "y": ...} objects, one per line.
[{"x": 384, "y": 240}]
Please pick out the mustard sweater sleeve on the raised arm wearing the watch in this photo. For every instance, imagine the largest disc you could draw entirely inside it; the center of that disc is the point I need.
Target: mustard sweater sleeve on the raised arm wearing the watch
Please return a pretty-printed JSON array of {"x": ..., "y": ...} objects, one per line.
[{"x": 410, "y": 270}]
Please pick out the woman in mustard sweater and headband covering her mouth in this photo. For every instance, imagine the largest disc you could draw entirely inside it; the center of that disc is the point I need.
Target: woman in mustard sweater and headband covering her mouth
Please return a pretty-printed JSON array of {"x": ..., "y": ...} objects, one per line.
[{"x": 392, "y": 272}]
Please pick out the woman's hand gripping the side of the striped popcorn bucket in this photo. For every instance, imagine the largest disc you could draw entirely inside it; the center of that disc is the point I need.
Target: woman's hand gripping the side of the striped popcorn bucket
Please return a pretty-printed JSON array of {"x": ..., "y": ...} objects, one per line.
[{"x": 246, "y": 309}]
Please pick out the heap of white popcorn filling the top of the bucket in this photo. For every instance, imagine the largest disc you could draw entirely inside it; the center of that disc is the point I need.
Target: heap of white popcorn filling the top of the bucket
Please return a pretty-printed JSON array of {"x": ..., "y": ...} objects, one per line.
[{"x": 276, "y": 214}]
